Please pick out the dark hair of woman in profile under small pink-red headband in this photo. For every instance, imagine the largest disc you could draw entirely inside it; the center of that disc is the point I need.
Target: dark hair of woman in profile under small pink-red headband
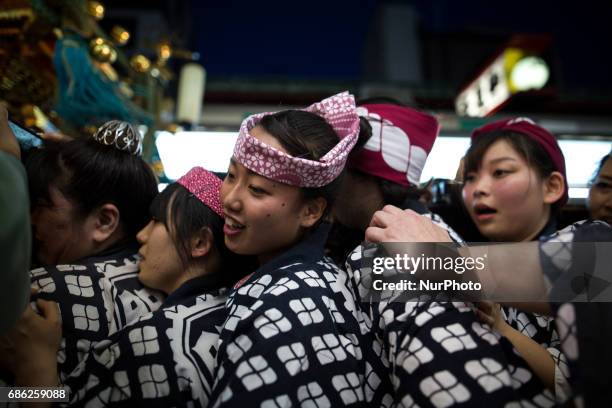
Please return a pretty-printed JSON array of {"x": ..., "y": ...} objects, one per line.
[{"x": 184, "y": 215}]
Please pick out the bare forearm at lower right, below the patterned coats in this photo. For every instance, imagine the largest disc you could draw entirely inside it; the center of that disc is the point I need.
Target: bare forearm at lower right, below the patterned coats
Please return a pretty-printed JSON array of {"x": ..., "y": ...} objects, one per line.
[{"x": 534, "y": 354}]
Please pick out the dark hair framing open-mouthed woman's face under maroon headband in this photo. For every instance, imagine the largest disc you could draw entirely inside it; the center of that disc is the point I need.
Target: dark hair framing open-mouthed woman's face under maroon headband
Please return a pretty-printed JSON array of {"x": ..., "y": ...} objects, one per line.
[{"x": 530, "y": 150}]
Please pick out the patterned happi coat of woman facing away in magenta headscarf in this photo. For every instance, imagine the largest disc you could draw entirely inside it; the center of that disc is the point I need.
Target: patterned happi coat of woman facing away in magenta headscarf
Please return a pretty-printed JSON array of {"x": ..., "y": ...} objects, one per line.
[{"x": 439, "y": 353}]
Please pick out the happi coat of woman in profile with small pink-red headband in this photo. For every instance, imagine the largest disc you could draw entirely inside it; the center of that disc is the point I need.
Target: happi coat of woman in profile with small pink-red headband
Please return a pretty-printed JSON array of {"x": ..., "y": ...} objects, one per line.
[{"x": 165, "y": 358}]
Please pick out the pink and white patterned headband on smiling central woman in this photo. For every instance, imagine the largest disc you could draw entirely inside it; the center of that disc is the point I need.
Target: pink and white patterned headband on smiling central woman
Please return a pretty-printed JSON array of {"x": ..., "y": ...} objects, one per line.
[{"x": 339, "y": 111}]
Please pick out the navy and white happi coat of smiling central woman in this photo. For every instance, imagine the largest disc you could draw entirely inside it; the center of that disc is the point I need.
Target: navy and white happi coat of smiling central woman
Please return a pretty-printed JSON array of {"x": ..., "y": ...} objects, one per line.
[{"x": 294, "y": 336}]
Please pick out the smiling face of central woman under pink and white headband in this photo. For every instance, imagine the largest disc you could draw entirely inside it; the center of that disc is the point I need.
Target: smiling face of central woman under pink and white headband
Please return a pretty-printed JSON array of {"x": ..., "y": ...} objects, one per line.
[{"x": 263, "y": 217}]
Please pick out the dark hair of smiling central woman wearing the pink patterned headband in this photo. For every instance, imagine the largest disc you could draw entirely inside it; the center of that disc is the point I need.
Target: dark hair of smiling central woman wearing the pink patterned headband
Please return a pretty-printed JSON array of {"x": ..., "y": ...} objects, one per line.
[{"x": 309, "y": 136}]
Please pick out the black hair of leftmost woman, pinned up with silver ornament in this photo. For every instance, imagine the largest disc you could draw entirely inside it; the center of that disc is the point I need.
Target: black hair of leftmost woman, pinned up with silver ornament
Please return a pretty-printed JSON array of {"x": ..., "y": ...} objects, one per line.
[{"x": 90, "y": 175}]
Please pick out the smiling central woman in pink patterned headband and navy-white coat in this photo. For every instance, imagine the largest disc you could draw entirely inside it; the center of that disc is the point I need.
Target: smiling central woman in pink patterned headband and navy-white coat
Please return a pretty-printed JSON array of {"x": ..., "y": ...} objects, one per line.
[{"x": 293, "y": 336}]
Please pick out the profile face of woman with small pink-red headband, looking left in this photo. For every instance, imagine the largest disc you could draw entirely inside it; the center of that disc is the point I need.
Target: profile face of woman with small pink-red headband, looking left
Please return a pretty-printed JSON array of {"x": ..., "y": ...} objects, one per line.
[{"x": 160, "y": 267}]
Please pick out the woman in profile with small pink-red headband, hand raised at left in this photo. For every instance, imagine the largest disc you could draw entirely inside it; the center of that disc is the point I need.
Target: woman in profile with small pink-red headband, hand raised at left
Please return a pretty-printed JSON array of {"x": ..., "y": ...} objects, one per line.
[{"x": 166, "y": 357}]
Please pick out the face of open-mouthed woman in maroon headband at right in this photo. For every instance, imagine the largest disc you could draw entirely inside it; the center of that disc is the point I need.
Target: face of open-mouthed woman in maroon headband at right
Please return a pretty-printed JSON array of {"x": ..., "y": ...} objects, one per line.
[{"x": 506, "y": 197}]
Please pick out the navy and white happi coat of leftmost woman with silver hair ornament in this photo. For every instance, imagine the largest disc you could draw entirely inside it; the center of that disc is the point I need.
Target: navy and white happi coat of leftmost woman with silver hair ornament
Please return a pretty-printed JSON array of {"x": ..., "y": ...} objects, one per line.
[{"x": 96, "y": 297}]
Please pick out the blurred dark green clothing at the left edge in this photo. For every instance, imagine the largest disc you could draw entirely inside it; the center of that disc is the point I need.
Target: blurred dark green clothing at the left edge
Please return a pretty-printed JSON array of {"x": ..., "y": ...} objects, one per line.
[{"x": 15, "y": 241}]
